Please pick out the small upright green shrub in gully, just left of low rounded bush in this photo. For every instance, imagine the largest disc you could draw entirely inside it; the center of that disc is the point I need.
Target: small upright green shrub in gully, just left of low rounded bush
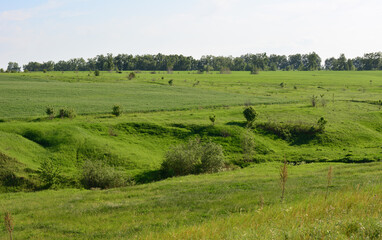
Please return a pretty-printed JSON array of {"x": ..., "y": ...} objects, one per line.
[{"x": 49, "y": 173}]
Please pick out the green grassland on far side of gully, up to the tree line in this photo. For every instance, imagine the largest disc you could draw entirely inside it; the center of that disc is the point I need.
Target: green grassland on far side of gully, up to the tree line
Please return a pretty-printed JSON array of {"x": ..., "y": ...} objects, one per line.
[{"x": 136, "y": 142}]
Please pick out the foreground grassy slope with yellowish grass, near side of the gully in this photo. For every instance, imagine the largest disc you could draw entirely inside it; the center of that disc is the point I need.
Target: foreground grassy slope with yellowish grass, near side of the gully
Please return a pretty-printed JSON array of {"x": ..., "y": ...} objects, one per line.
[{"x": 218, "y": 206}]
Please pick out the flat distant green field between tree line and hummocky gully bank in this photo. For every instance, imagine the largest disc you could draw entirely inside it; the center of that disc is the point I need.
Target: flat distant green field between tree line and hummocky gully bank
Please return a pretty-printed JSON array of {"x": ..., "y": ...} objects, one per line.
[{"x": 25, "y": 95}]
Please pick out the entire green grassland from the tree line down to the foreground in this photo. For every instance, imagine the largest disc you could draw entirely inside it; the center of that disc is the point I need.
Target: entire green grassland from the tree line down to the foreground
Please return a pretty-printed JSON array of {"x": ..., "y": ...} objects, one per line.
[{"x": 242, "y": 202}]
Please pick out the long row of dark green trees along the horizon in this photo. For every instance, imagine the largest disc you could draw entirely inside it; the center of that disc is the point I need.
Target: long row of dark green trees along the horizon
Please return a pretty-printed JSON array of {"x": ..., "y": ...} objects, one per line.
[{"x": 247, "y": 62}]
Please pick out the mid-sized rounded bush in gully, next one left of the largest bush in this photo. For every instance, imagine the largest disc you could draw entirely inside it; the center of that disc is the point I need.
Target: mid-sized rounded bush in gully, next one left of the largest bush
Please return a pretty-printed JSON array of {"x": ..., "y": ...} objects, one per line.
[{"x": 97, "y": 175}]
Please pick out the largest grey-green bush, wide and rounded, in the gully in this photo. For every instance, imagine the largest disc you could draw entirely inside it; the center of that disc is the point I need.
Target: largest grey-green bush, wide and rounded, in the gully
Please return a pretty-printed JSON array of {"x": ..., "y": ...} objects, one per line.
[{"x": 192, "y": 158}]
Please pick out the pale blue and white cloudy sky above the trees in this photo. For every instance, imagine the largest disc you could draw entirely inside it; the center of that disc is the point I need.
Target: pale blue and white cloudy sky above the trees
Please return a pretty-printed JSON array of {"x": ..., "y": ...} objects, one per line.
[{"x": 43, "y": 30}]
